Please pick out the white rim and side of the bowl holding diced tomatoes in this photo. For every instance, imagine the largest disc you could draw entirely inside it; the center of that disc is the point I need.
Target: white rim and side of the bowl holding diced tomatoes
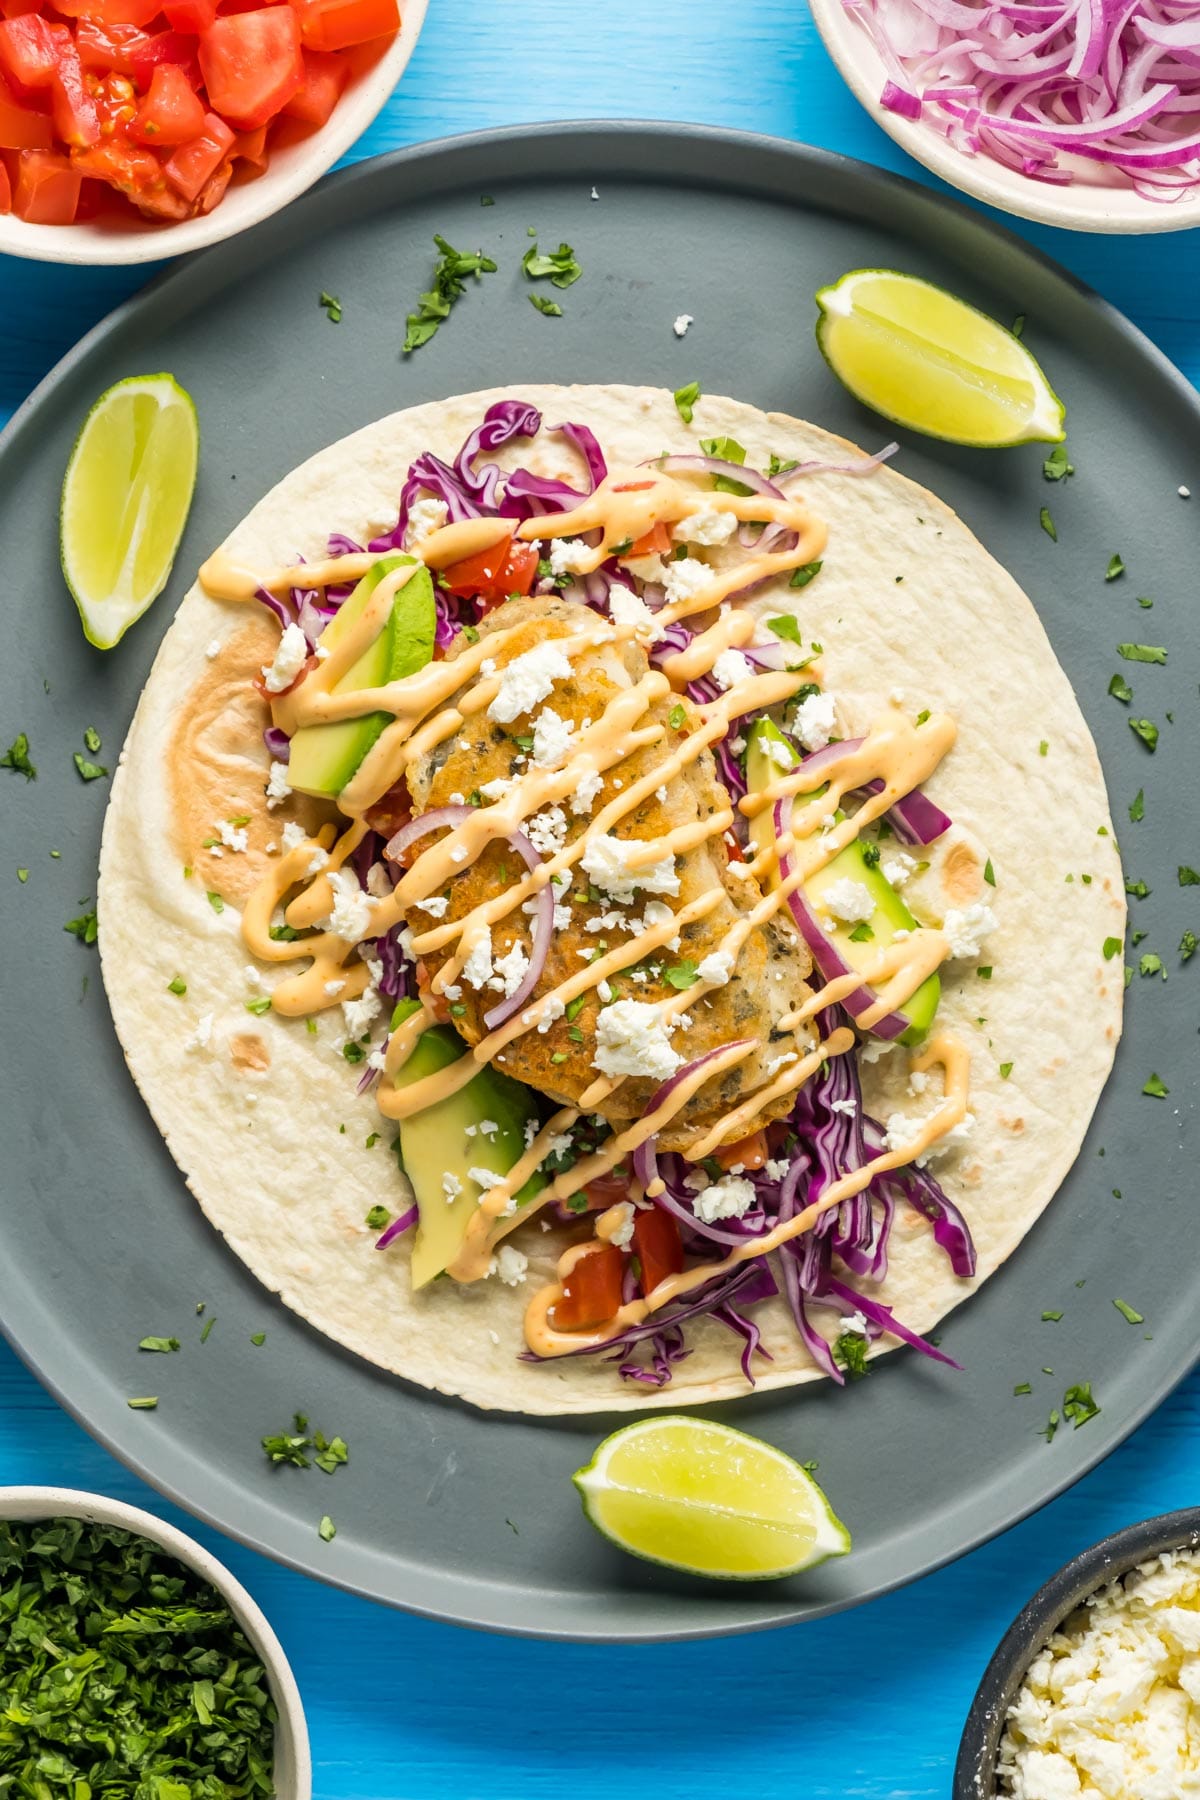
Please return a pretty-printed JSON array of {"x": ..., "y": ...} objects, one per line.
[{"x": 292, "y": 168}]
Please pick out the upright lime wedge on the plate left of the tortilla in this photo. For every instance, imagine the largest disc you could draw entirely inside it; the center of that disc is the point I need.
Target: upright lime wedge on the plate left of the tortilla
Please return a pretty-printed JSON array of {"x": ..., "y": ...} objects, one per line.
[{"x": 127, "y": 496}]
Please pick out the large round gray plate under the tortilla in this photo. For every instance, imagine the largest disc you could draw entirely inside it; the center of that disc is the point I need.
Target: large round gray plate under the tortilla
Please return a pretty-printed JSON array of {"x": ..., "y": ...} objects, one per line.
[{"x": 445, "y": 1511}]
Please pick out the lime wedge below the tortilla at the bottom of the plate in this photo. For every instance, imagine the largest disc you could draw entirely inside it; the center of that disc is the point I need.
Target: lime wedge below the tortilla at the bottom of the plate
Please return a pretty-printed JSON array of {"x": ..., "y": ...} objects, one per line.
[{"x": 710, "y": 1500}]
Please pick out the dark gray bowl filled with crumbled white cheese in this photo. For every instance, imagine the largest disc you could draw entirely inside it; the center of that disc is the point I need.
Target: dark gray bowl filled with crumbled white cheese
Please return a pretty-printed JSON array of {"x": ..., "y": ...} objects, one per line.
[{"x": 1097, "y": 1684}]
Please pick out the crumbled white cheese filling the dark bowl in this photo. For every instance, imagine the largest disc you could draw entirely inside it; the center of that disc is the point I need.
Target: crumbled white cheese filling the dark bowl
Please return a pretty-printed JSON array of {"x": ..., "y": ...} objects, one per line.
[{"x": 1113, "y": 1704}]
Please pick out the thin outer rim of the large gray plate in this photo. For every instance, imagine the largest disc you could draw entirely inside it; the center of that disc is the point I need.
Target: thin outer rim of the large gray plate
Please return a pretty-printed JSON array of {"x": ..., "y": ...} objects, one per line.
[{"x": 810, "y": 159}]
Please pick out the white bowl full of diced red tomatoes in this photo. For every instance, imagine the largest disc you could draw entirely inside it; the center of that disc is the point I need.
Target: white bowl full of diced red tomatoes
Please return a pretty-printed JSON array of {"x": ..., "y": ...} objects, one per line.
[{"x": 132, "y": 130}]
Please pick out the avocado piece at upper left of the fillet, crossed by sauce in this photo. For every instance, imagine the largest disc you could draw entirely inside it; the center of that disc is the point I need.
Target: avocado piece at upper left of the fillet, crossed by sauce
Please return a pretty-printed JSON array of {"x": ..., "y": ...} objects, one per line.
[{"x": 327, "y": 757}]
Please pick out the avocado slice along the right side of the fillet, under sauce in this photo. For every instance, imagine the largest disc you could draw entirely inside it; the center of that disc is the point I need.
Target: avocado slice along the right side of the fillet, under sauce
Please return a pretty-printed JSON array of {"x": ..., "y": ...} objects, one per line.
[{"x": 891, "y": 913}]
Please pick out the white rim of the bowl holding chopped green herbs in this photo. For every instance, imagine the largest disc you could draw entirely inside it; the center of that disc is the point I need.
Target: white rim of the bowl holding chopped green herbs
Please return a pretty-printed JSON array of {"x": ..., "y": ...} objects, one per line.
[{"x": 294, "y": 1765}]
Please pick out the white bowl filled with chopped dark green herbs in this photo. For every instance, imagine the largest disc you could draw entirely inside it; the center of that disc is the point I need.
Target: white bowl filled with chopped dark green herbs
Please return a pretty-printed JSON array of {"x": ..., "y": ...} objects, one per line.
[{"x": 134, "y": 1664}]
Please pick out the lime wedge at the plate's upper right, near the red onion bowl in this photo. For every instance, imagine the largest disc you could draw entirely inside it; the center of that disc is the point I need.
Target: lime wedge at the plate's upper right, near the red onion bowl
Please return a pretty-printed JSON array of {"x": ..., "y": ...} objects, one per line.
[{"x": 933, "y": 363}]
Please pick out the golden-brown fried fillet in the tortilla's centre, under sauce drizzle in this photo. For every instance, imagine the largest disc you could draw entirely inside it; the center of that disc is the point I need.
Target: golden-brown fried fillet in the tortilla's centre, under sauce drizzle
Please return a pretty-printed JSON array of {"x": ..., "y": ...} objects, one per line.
[{"x": 769, "y": 978}]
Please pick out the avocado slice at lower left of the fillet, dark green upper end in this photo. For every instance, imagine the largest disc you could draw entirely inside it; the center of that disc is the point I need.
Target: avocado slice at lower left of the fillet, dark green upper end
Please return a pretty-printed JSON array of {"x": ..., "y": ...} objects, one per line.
[{"x": 434, "y": 1144}]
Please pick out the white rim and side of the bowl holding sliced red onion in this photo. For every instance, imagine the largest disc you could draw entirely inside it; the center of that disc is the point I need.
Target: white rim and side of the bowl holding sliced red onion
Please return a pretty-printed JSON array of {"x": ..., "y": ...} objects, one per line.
[{"x": 1079, "y": 208}]
